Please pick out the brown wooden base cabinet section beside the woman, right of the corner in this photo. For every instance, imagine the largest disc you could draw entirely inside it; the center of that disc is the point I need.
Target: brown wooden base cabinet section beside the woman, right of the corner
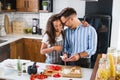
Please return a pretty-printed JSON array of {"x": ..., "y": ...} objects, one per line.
[{"x": 32, "y": 50}]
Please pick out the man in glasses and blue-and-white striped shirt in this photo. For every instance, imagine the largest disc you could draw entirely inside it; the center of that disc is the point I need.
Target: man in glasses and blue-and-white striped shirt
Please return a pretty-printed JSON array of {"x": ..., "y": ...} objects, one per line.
[{"x": 80, "y": 42}]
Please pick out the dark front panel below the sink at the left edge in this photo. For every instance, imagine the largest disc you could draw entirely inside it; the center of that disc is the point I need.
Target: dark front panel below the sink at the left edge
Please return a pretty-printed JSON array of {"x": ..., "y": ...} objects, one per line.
[{"x": 4, "y": 52}]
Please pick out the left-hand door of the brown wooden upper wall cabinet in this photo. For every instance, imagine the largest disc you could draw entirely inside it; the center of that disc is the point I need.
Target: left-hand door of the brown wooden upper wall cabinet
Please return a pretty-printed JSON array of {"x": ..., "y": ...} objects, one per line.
[{"x": 21, "y": 5}]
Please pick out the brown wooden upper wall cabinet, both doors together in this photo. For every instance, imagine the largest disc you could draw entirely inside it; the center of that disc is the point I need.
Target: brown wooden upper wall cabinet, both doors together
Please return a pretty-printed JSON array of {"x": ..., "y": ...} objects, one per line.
[{"x": 27, "y": 5}]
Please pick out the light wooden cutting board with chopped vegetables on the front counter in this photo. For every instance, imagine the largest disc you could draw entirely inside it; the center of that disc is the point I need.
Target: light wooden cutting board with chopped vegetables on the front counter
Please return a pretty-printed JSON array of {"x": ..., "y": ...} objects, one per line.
[{"x": 72, "y": 71}]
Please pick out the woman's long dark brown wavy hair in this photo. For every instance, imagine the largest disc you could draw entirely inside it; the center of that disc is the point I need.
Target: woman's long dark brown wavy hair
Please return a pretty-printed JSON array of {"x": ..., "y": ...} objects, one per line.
[{"x": 50, "y": 30}]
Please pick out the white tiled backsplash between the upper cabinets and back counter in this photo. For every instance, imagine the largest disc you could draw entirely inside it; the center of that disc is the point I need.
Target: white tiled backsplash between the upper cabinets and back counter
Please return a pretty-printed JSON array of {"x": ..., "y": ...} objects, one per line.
[{"x": 27, "y": 17}]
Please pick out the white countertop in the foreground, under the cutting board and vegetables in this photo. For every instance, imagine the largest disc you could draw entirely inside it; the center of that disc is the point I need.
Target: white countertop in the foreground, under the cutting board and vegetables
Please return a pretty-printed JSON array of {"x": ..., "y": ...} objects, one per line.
[{"x": 11, "y": 74}]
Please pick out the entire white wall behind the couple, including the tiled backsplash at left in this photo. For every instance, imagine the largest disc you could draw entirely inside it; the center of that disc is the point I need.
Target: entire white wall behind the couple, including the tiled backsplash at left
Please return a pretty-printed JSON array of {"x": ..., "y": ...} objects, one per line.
[{"x": 58, "y": 5}]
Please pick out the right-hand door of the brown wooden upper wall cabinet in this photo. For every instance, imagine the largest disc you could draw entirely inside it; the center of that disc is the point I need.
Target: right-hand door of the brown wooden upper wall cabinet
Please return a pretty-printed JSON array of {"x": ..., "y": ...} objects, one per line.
[{"x": 32, "y": 5}]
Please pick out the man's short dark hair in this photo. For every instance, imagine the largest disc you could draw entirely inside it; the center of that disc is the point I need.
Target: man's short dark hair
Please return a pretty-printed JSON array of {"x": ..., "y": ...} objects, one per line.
[{"x": 66, "y": 12}]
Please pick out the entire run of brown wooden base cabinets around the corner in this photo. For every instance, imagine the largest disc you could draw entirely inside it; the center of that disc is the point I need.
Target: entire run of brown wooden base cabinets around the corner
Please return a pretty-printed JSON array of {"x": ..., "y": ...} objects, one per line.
[{"x": 27, "y": 49}]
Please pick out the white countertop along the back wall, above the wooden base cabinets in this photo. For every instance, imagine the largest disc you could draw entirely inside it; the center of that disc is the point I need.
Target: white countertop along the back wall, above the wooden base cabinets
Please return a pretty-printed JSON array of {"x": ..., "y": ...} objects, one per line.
[{"x": 14, "y": 37}]
